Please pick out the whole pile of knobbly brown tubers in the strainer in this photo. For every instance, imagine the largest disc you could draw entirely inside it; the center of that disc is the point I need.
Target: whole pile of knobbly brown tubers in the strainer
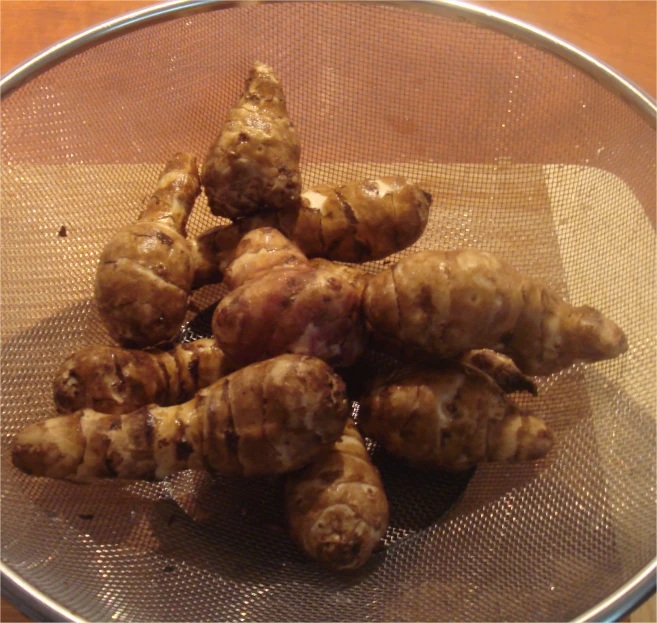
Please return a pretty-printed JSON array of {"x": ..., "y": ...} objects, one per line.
[{"x": 264, "y": 395}]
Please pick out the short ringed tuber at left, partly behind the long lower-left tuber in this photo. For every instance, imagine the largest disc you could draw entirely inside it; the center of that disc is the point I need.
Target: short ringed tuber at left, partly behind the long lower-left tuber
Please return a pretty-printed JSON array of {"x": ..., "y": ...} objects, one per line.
[{"x": 118, "y": 380}]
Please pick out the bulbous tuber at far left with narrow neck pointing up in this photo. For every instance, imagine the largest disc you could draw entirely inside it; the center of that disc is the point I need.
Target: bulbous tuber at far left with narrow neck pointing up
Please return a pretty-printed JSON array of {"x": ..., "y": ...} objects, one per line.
[{"x": 145, "y": 272}]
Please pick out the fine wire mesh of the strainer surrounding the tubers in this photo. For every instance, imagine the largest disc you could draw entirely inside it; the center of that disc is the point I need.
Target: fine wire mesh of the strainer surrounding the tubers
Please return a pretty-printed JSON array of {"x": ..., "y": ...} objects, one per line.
[{"x": 525, "y": 155}]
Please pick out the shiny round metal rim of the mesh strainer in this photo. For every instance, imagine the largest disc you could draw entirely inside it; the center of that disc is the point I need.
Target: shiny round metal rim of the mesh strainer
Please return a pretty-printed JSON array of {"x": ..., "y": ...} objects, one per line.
[{"x": 38, "y": 605}]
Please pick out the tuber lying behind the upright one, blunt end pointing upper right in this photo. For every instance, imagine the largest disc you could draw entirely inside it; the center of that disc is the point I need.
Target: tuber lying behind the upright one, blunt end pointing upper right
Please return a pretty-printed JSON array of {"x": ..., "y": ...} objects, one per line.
[{"x": 360, "y": 221}]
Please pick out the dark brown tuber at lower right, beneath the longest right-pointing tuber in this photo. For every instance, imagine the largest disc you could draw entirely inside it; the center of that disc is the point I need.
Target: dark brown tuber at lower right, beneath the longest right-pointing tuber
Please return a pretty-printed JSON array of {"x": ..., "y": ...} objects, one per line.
[{"x": 450, "y": 416}]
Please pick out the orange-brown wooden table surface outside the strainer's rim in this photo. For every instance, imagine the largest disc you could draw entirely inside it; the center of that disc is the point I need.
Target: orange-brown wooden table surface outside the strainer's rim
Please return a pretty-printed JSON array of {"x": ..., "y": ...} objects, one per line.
[{"x": 619, "y": 33}]
